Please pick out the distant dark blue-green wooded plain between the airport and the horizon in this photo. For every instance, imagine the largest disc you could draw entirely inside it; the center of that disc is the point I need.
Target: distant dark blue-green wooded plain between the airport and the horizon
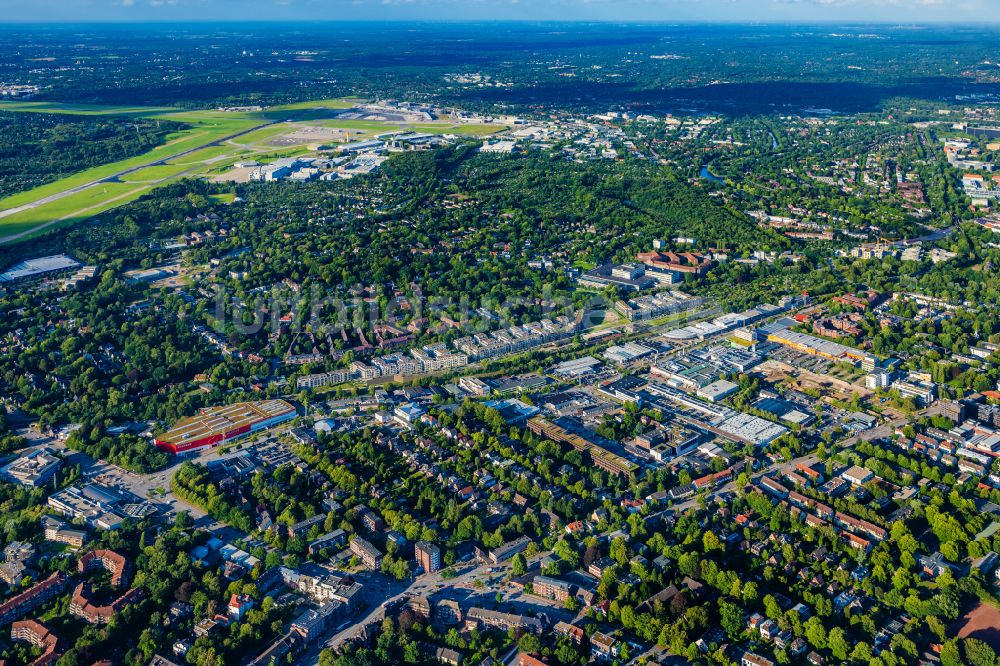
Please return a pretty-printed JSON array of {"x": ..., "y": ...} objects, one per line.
[{"x": 649, "y": 68}]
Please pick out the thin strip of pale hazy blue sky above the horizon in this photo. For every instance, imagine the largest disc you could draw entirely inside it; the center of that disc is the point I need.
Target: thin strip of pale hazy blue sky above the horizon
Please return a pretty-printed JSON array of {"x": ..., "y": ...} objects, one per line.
[{"x": 904, "y": 11}]
